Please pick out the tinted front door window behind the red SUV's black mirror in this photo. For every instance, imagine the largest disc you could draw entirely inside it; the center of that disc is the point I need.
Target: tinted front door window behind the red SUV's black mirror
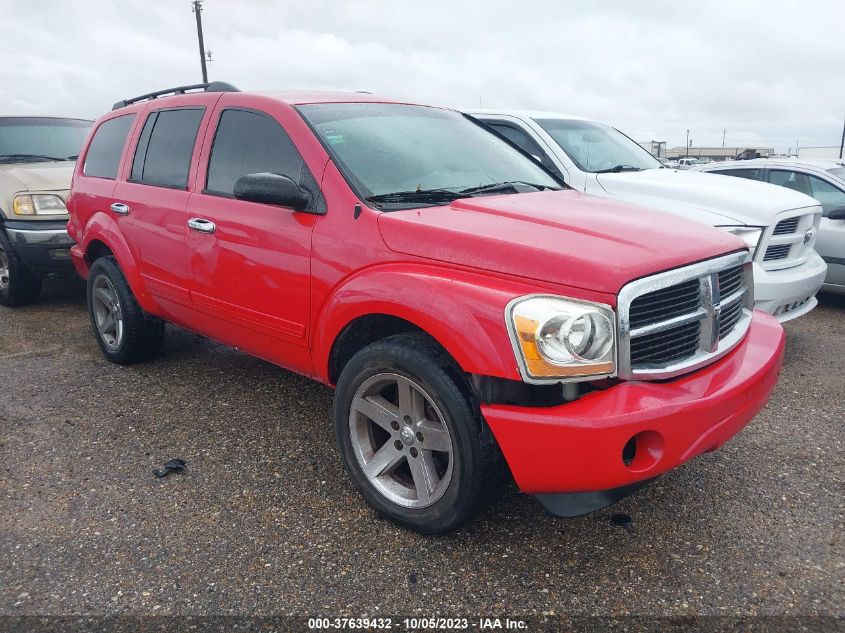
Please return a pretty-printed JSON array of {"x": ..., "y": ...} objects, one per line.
[{"x": 248, "y": 142}]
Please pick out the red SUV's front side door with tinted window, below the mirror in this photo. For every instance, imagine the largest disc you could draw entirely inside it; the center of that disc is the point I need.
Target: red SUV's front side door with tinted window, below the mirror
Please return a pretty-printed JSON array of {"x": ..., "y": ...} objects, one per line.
[{"x": 250, "y": 263}]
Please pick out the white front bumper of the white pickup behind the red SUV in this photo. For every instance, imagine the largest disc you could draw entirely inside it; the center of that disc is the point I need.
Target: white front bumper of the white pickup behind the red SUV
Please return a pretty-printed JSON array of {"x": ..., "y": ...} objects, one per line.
[{"x": 791, "y": 292}]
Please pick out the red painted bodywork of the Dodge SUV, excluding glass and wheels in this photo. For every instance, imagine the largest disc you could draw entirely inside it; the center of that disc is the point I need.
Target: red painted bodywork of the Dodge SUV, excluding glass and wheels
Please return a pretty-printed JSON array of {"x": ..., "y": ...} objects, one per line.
[{"x": 282, "y": 285}]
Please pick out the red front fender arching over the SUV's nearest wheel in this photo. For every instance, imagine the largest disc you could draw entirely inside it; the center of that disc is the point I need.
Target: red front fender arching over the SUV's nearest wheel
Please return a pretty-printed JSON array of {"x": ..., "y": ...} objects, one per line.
[{"x": 446, "y": 303}]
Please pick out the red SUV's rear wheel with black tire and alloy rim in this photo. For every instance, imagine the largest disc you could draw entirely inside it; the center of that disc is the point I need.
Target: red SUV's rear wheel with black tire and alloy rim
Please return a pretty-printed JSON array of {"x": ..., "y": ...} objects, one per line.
[{"x": 125, "y": 332}]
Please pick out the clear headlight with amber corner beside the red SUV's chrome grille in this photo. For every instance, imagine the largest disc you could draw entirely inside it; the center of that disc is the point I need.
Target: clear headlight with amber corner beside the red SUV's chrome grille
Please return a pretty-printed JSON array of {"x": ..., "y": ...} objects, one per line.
[{"x": 556, "y": 338}]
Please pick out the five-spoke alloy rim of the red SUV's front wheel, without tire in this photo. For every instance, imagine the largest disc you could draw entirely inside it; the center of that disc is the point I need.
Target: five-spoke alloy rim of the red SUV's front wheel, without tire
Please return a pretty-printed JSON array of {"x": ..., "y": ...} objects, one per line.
[{"x": 401, "y": 440}]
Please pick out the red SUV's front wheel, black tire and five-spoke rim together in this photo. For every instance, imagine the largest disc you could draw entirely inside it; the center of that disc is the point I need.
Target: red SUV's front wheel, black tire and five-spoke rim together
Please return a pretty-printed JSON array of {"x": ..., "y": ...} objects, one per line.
[{"x": 411, "y": 440}]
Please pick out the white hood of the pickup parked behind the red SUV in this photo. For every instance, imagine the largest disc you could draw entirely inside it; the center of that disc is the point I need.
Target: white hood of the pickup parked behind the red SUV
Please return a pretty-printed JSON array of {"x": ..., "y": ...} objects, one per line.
[{"x": 704, "y": 197}]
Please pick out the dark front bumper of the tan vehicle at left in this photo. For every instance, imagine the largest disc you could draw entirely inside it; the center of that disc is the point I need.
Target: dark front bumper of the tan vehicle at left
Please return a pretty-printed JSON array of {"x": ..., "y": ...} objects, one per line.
[{"x": 43, "y": 246}]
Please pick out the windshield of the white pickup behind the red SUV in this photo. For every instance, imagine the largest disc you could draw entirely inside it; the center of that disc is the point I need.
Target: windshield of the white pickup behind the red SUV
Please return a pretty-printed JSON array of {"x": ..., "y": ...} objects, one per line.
[{"x": 596, "y": 147}]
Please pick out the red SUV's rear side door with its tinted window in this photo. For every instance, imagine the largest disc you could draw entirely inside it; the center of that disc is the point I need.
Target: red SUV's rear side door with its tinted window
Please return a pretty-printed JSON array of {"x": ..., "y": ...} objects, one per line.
[{"x": 150, "y": 201}]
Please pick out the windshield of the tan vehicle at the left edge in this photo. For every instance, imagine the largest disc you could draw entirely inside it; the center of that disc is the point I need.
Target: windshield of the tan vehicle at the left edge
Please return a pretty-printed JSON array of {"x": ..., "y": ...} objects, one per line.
[{"x": 32, "y": 139}]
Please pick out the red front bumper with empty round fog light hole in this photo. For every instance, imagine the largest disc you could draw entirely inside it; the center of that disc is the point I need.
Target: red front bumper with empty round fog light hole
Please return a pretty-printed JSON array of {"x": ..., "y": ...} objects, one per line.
[{"x": 635, "y": 431}]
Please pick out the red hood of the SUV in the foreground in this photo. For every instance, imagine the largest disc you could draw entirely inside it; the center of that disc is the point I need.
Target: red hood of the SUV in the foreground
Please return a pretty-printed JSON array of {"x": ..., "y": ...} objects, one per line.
[{"x": 563, "y": 237}]
